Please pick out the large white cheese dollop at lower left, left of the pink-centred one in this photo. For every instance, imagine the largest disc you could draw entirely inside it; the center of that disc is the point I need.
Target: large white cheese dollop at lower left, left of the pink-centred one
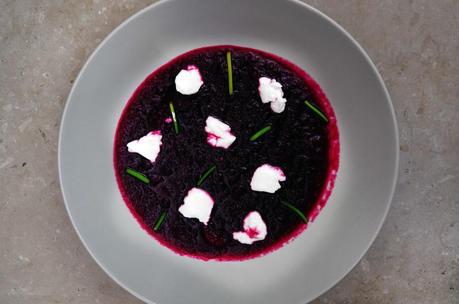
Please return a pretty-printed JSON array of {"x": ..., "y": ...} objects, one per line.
[{"x": 197, "y": 204}]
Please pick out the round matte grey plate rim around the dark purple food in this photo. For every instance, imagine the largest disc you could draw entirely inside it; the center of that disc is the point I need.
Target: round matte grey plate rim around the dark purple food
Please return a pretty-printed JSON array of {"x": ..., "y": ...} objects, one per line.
[{"x": 321, "y": 255}]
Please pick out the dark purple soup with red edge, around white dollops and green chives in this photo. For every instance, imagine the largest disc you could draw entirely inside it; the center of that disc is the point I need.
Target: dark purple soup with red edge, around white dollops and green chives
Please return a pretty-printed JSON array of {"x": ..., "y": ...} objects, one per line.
[{"x": 301, "y": 142}]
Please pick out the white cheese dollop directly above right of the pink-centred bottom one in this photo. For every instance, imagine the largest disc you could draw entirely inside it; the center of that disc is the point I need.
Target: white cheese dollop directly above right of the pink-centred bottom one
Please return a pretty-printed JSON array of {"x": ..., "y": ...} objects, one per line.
[{"x": 266, "y": 178}]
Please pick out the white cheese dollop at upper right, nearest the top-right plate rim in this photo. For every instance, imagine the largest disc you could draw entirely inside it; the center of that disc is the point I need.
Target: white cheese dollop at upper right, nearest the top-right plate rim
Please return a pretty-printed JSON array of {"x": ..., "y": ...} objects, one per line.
[{"x": 271, "y": 91}]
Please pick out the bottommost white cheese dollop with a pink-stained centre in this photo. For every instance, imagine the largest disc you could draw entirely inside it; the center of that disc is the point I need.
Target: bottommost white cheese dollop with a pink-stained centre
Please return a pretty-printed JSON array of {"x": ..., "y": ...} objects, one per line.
[{"x": 254, "y": 229}]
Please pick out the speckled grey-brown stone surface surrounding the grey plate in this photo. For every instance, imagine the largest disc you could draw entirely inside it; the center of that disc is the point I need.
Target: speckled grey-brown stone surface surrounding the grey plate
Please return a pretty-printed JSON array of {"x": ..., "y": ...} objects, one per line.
[{"x": 415, "y": 44}]
